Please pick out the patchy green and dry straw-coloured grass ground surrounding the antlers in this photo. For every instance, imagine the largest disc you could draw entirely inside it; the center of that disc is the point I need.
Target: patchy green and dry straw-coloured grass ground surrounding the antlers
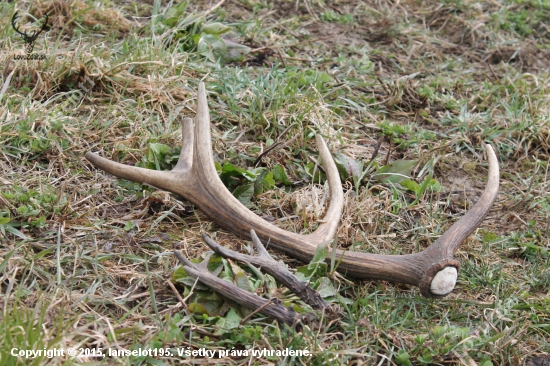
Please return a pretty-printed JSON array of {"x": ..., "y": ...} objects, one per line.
[{"x": 85, "y": 258}]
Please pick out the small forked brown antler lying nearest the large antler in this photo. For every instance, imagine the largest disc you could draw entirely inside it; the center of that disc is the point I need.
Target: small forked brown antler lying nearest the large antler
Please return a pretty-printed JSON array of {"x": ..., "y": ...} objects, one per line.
[{"x": 277, "y": 269}]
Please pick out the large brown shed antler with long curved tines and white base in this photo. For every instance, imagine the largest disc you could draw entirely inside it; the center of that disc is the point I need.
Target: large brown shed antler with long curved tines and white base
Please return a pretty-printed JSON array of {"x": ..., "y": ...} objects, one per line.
[{"x": 194, "y": 177}]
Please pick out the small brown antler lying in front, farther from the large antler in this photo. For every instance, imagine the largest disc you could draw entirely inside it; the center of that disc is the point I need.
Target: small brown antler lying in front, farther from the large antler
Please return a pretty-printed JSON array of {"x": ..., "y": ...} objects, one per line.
[{"x": 272, "y": 308}]
